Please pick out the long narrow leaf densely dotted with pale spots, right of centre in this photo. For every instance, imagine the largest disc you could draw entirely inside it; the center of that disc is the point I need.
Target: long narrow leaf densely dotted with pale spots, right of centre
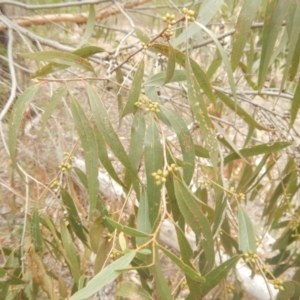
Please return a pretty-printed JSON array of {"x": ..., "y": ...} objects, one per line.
[{"x": 199, "y": 109}]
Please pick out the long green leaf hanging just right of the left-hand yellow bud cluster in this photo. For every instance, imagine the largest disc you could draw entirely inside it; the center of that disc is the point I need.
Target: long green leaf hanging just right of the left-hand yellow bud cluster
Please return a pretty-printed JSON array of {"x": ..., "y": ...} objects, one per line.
[{"x": 89, "y": 144}]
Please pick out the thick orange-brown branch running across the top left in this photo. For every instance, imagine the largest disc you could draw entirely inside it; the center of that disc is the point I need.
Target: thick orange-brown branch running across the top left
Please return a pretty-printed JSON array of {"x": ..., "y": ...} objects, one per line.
[{"x": 70, "y": 18}]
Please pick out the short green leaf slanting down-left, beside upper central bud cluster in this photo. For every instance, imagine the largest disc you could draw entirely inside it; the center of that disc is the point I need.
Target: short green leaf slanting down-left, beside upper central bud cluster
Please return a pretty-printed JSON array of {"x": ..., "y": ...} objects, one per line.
[{"x": 135, "y": 90}]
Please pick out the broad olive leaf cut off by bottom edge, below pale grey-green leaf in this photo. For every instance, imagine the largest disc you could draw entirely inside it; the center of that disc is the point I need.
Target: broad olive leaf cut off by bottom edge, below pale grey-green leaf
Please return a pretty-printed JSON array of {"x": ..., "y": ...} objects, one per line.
[{"x": 130, "y": 290}]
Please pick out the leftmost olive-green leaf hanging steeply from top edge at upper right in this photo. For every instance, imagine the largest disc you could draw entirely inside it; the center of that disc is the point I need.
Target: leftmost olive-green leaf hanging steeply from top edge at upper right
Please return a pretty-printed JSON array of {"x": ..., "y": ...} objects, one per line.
[{"x": 243, "y": 26}]
